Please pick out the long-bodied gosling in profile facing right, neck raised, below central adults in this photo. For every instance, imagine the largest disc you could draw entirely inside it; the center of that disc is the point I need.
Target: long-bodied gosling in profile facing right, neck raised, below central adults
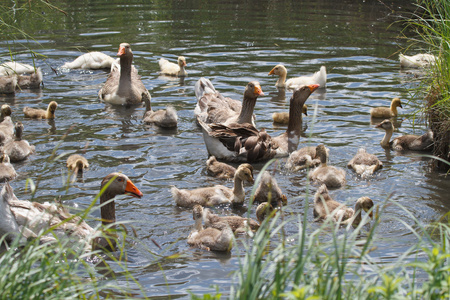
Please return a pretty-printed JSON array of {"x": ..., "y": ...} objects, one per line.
[{"x": 215, "y": 195}]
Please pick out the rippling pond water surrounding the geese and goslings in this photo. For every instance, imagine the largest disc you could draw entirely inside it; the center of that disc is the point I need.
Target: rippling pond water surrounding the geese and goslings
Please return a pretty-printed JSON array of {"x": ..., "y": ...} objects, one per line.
[{"x": 230, "y": 43}]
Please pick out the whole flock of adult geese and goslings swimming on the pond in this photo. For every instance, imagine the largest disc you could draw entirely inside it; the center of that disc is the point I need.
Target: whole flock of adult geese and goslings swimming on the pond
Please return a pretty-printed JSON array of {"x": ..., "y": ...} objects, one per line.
[{"x": 230, "y": 135}]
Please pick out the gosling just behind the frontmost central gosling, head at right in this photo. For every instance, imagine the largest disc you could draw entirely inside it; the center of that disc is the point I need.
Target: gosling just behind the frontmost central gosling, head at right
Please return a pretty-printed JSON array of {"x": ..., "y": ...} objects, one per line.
[{"x": 237, "y": 224}]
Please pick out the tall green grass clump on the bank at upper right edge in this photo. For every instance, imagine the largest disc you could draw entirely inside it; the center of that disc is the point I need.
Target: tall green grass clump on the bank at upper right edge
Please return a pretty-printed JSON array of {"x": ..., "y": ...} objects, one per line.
[{"x": 432, "y": 29}]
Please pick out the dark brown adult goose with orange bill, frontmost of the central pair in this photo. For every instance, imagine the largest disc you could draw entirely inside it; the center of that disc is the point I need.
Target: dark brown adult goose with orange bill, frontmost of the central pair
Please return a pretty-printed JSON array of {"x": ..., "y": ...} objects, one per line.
[{"x": 244, "y": 143}]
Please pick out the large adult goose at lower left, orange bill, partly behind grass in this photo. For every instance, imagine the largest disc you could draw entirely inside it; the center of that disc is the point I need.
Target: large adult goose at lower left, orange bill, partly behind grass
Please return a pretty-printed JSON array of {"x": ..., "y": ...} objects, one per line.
[{"x": 29, "y": 219}]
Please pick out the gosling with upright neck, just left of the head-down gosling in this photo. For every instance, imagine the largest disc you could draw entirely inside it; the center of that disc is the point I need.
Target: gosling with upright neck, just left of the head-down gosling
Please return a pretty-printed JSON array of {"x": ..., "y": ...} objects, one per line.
[{"x": 331, "y": 176}]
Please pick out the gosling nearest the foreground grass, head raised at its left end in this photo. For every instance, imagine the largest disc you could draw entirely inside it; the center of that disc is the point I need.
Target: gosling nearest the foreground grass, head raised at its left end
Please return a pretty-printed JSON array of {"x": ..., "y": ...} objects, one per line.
[{"x": 210, "y": 239}]
